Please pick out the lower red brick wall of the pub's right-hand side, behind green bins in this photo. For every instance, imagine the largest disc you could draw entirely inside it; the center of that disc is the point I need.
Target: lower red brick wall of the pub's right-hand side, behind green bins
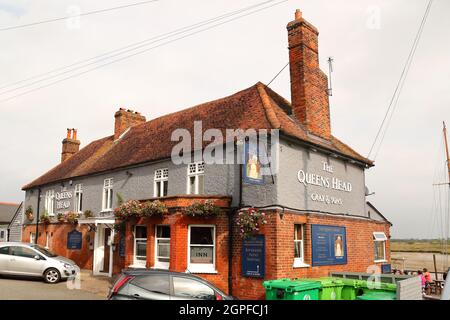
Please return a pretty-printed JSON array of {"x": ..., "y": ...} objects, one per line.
[{"x": 279, "y": 233}]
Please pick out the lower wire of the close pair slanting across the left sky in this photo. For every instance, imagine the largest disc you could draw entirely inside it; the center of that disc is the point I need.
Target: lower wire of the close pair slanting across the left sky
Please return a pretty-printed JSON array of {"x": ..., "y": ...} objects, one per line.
[{"x": 142, "y": 51}]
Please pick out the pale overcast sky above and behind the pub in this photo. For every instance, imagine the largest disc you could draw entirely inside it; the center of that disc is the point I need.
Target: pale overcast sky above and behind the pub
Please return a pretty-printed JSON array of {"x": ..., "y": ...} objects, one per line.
[{"x": 369, "y": 41}]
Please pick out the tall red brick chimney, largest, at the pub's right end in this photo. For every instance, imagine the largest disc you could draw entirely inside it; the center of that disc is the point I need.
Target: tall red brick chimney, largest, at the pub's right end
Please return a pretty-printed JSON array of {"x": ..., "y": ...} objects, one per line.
[{"x": 309, "y": 84}]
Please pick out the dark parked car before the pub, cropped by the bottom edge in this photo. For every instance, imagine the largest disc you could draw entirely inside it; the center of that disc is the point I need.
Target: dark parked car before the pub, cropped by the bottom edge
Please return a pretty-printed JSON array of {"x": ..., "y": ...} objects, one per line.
[{"x": 154, "y": 284}]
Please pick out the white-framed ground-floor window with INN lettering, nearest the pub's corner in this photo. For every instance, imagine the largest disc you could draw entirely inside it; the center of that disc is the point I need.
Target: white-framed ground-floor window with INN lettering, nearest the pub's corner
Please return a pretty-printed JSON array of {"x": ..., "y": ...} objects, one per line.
[{"x": 201, "y": 249}]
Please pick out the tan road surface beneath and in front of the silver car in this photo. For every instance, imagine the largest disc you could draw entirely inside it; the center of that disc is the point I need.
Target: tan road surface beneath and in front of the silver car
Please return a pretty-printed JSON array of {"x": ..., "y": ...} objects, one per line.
[{"x": 86, "y": 287}]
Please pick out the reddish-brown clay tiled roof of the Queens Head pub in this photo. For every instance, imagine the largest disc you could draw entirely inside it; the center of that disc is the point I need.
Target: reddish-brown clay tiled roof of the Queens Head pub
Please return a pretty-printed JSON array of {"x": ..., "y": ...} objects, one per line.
[{"x": 257, "y": 107}]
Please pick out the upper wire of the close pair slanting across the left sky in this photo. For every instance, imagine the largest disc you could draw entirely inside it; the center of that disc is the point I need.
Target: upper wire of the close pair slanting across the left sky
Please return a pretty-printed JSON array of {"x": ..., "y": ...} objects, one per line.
[{"x": 122, "y": 50}]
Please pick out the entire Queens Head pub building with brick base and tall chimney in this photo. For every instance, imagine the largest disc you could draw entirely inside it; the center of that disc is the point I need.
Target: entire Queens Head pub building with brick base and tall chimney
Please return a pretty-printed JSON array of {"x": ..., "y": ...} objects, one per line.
[{"x": 317, "y": 217}]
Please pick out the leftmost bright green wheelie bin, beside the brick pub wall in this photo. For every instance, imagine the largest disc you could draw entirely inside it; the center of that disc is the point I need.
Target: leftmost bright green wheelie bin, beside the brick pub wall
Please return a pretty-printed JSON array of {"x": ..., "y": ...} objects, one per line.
[{"x": 287, "y": 289}]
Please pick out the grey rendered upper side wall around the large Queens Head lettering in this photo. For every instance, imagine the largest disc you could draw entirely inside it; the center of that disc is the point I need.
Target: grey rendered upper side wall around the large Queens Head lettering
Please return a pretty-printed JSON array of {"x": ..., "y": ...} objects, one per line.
[{"x": 292, "y": 193}]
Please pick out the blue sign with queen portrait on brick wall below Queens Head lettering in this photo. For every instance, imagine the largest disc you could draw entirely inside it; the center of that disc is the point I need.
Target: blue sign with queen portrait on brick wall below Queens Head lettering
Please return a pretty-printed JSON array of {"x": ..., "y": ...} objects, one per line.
[{"x": 329, "y": 245}]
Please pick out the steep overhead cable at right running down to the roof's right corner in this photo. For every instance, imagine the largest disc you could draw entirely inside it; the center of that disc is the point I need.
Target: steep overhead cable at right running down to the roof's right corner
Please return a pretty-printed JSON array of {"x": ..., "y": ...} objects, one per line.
[{"x": 400, "y": 84}]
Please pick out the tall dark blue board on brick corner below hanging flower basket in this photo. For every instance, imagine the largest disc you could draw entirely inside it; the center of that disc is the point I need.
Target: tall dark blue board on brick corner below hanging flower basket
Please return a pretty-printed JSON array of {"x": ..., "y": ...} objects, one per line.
[{"x": 253, "y": 257}]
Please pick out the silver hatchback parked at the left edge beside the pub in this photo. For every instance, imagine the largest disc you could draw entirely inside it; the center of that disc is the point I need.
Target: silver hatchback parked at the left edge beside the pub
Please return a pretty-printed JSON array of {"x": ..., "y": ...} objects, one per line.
[{"x": 27, "y": 259}]
